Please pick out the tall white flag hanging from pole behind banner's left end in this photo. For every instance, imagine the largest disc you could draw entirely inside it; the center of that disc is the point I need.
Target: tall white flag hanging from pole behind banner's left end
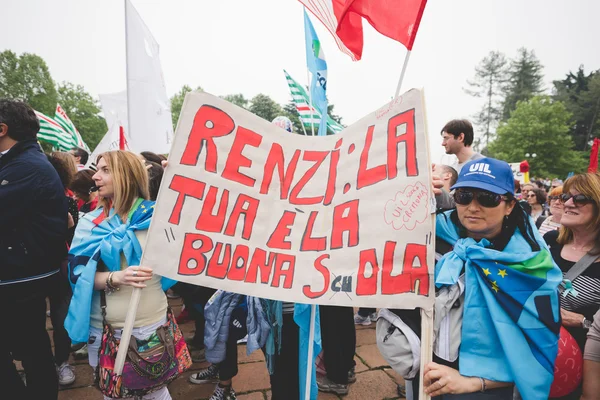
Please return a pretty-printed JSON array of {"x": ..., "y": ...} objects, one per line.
[{"x": 150, "y": 124}]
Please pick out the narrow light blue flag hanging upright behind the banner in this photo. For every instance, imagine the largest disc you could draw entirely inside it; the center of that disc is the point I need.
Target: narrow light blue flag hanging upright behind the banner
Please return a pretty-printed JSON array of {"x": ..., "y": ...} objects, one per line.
[{"x": 315, "y": 60}]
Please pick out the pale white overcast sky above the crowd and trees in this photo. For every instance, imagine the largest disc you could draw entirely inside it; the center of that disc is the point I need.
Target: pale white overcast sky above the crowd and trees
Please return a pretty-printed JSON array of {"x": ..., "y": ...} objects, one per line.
[{"x": 242, "y": 46}]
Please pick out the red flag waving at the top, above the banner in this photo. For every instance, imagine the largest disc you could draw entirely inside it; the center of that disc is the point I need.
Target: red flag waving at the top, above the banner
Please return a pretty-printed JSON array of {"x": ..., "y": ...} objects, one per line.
[{"x": 396, "y": 19}]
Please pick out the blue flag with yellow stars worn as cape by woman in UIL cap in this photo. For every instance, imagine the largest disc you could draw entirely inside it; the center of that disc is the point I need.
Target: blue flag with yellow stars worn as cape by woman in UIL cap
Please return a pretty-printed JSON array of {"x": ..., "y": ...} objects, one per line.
[{"x": 511, "y": 318}]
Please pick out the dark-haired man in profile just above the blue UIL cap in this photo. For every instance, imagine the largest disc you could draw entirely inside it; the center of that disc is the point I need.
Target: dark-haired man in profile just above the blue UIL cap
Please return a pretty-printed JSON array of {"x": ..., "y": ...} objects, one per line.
[{"x": 457, "y": 139}]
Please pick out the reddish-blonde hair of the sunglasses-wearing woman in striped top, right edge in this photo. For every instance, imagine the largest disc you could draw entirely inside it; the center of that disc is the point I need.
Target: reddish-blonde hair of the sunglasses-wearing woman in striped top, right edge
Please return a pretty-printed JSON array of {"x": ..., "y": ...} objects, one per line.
[{"x": 588, "y": 185}]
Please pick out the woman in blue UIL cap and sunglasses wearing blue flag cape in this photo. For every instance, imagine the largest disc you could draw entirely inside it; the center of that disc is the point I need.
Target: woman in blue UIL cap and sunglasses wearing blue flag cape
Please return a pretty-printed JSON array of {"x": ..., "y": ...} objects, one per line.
[{"x": 491, "y": 246}]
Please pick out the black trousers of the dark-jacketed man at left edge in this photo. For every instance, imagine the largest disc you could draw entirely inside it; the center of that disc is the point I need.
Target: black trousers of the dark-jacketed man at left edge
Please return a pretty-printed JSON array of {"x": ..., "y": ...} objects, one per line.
[{"x": 23, "y": 337}]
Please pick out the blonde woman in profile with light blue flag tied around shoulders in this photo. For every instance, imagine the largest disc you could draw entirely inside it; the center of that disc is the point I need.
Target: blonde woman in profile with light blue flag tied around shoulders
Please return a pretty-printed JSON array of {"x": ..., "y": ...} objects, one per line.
[{"x": 105, "y": 257}]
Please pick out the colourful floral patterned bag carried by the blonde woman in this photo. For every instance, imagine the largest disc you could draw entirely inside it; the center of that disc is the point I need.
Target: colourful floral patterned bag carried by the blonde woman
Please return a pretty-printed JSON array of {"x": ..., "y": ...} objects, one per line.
[{"x": 150, "y": 364}]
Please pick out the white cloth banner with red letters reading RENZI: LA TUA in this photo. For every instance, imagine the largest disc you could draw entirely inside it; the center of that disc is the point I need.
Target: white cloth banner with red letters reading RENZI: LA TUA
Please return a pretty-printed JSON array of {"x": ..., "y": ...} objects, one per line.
[{"x": 339, "y": 220}]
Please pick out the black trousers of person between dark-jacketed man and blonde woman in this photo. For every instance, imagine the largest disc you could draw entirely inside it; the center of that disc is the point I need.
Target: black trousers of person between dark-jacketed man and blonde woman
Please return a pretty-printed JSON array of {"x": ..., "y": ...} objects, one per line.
[{"x": 60, "y": 298}]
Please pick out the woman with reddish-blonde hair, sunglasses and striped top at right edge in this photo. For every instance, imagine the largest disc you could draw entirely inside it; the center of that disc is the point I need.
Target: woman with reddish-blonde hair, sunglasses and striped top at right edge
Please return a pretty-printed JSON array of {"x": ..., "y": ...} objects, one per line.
[{"x": 578, "y": 236}]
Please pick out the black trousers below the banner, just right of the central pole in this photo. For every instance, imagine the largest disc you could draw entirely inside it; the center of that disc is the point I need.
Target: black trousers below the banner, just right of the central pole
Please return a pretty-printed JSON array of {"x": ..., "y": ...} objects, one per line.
[{"x": 338, "y": 335}]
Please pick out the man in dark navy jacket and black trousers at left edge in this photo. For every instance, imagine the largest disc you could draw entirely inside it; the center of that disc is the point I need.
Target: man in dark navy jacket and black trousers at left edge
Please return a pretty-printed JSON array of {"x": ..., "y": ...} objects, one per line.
[{"x": 33, "y": 229}]
